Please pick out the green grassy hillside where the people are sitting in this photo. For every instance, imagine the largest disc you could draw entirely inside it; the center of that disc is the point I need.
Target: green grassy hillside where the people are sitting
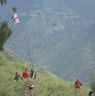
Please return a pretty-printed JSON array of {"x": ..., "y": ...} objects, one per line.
[{"x": 46, "y": 84}]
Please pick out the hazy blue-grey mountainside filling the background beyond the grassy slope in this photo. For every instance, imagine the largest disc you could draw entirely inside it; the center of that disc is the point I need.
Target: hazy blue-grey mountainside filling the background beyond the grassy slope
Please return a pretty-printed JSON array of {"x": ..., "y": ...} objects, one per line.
[{"x": 58, "y": 33}]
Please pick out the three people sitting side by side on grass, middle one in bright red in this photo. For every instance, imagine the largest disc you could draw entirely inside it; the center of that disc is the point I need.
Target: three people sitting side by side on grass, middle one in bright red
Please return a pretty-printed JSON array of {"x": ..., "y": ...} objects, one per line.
[{"x": 25, "y": 74}]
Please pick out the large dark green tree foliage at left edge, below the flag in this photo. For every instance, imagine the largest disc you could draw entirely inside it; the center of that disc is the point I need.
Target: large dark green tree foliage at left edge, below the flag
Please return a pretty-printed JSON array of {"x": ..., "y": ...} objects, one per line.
[{"x": 5, "y": 33}]
